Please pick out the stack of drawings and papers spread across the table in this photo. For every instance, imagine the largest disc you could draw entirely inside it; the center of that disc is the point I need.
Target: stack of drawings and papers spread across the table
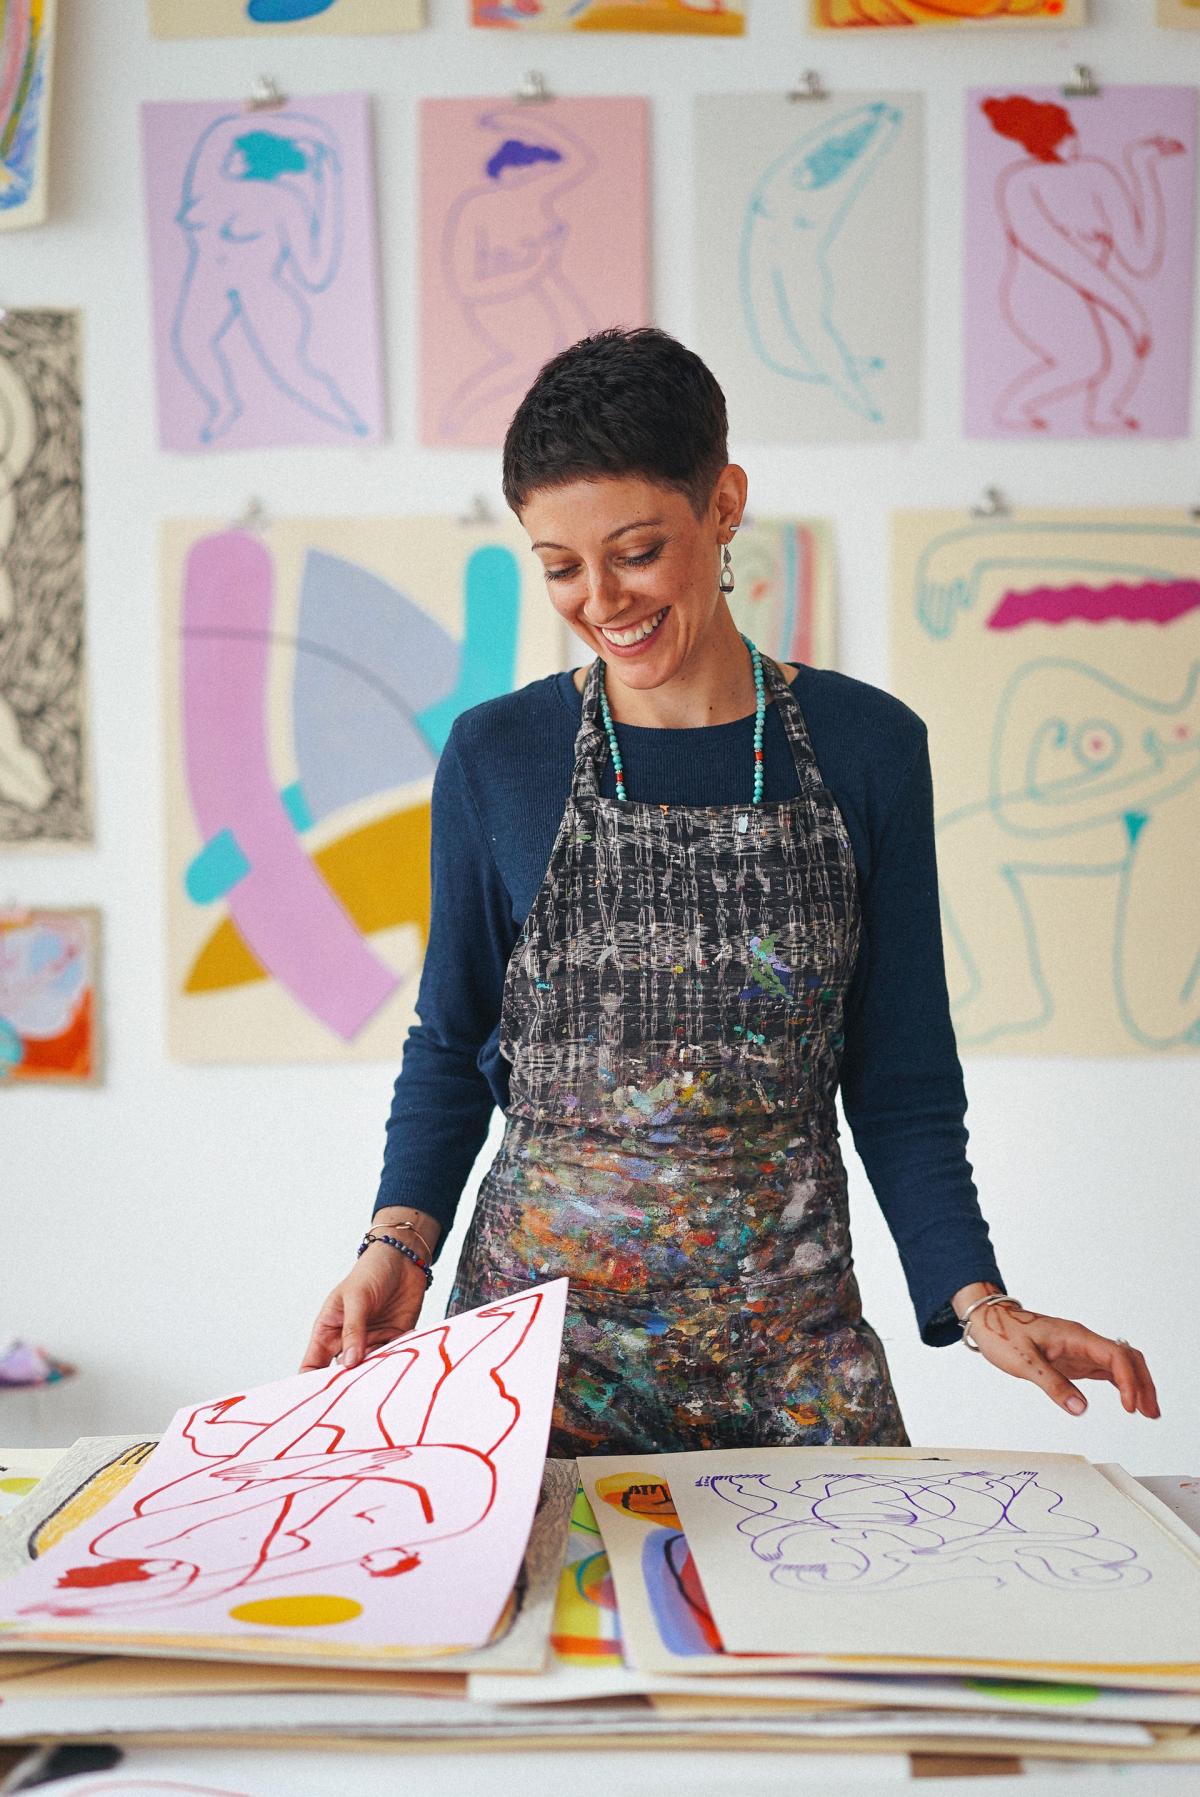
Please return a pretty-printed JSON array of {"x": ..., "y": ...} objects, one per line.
[{"x": 385, "y": 1555}]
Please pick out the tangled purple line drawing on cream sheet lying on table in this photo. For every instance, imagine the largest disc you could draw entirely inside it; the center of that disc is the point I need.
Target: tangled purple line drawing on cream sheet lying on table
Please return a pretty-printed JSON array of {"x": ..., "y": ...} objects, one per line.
[{"x": 860, "y": 1532}]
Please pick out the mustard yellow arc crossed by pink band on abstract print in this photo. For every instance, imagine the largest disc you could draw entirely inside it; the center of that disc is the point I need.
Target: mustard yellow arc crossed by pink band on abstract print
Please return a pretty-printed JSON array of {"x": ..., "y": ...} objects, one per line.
[{"x": 380, "y": 874}]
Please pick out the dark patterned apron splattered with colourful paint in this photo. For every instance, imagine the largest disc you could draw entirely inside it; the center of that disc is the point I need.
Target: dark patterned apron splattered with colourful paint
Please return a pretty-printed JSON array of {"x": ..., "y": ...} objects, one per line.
[{"x": 675, "y": 1020}]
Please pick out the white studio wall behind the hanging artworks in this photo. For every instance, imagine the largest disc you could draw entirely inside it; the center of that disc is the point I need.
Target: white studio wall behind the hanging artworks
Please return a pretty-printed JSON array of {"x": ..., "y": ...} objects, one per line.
[{"x": 175, "y": 1230}]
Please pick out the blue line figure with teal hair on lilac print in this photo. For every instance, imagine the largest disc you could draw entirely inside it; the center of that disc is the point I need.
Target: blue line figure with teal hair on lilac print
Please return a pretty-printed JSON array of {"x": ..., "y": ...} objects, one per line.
[{"x": 263, "y": 218}]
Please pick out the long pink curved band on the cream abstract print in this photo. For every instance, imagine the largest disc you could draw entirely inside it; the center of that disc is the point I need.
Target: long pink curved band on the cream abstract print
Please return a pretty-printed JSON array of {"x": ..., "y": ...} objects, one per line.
[{"x": 283, "y": 908}]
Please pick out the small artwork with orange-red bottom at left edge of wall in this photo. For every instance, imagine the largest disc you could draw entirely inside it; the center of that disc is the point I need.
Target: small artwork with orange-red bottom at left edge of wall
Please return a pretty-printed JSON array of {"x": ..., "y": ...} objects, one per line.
[{"x": 49, "y": 1029}]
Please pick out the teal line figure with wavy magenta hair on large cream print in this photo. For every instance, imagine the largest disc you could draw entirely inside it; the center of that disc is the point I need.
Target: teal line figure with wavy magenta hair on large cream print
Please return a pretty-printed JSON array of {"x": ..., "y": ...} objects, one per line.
[{"x": 1090, "y": 783}]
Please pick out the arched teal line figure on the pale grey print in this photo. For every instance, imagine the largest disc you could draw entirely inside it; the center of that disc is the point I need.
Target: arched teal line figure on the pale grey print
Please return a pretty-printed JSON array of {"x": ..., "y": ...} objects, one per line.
[{"x": 790, "y": 235}]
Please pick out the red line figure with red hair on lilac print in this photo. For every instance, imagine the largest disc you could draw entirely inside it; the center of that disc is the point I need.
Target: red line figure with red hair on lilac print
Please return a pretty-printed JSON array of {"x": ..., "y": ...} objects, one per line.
[{"x": 1082, "y": 236}]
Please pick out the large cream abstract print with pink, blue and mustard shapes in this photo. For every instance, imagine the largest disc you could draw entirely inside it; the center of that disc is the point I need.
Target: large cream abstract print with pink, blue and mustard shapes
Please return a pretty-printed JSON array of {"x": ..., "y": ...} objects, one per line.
[{"x": 315, "y": 671}]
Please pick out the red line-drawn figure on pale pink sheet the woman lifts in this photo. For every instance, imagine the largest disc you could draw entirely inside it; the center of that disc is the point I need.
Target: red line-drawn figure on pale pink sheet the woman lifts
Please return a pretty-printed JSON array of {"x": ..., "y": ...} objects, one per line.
[{"x": 366, "y": 1473}]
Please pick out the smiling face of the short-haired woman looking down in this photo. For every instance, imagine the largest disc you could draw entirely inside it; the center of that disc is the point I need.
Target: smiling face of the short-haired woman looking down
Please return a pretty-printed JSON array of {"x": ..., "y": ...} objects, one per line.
[{"x": 633, "y": 571}]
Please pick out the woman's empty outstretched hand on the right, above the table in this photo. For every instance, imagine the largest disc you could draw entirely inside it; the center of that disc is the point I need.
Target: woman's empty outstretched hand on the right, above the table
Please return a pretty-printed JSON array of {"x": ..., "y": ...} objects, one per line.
[{"x": 1054, "y": 1352}]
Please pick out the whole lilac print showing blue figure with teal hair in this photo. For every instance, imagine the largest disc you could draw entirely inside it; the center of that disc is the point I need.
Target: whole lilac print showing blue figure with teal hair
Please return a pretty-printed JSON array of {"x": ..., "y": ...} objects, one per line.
[{"x": 263, "y": 261}]
